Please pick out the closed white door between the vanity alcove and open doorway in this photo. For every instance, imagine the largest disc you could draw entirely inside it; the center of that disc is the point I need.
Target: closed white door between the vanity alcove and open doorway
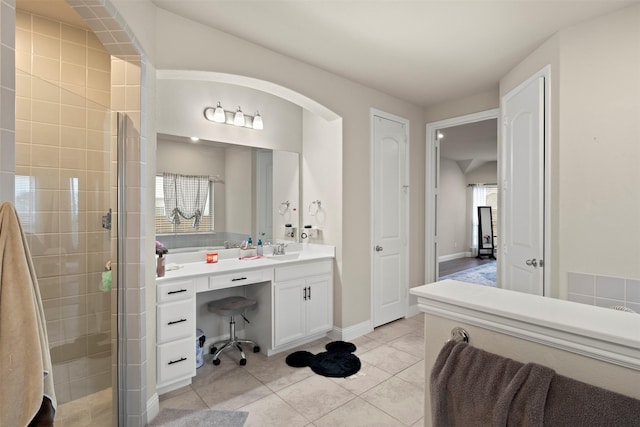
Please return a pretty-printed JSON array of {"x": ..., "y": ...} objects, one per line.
[{"x": 389, "y": 218}]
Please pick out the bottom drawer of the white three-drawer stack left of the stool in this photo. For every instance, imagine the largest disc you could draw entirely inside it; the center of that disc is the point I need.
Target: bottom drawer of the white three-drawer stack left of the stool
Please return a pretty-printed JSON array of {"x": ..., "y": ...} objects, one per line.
[{"x": 176, "y": 360}]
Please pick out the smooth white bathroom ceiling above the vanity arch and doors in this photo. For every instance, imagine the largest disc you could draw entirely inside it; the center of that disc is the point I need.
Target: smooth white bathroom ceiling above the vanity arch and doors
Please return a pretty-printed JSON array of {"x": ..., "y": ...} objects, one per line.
[{"x": 424, "y": 51}]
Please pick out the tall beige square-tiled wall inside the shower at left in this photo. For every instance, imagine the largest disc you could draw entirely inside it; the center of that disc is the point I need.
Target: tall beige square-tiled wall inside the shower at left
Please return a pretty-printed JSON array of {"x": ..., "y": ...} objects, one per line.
[{"x": 63, "y": 161}]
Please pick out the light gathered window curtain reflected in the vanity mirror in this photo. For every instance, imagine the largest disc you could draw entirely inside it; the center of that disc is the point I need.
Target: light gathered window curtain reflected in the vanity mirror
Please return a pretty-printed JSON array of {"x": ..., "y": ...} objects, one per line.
[{"x": 185, "y": 196}]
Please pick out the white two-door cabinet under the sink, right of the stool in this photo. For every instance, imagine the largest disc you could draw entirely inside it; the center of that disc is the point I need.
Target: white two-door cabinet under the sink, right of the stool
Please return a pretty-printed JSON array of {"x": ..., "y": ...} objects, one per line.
[{"x": 302, "y": 301}]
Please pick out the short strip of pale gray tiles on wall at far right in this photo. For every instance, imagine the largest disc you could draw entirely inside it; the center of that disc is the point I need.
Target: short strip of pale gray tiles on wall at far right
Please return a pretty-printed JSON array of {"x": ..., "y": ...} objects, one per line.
[{"x": 604, "y": 291}]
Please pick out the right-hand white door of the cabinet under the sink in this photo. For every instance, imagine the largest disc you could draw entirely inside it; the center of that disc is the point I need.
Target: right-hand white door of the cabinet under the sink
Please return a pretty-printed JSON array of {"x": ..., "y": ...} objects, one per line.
[{"x": 319, "y": 304}]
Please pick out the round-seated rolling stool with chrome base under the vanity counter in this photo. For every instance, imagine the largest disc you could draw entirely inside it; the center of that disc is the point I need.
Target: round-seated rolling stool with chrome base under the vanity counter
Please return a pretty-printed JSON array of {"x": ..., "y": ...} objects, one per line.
[{"x": 231, "y": 306}]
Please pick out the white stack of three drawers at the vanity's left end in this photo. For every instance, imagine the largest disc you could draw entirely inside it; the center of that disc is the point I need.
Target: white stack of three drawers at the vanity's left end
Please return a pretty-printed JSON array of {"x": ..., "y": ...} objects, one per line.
[{"x": 175, "y": 333}]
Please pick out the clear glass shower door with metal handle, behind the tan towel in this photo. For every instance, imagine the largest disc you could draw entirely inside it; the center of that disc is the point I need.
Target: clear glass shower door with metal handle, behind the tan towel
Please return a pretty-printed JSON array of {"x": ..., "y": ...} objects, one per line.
[{"x": 64, "y": 193}]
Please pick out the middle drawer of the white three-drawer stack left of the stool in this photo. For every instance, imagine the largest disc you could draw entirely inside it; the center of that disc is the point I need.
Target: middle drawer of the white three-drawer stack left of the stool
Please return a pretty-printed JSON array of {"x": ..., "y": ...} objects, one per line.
[{"x": 175, "y": 320}]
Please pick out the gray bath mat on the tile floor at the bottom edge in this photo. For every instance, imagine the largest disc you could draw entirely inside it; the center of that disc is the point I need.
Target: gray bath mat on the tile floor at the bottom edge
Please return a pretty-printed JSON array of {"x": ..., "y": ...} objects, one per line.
[{"x": 191, "y": 418}]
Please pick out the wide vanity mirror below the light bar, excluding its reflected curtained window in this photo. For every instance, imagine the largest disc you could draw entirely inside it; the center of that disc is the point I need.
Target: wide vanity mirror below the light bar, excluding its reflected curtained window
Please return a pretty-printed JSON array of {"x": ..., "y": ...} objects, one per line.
[{"x": 250, "y": 189}]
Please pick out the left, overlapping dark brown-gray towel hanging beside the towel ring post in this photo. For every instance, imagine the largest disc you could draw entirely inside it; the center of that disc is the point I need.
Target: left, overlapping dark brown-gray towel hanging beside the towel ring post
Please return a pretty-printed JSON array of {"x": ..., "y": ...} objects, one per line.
[{"x": 472, "y": 387}]
